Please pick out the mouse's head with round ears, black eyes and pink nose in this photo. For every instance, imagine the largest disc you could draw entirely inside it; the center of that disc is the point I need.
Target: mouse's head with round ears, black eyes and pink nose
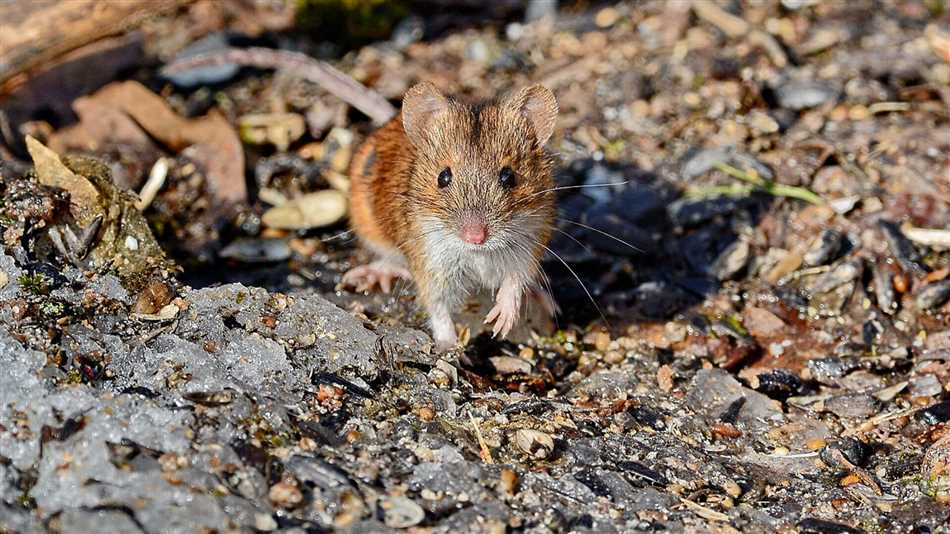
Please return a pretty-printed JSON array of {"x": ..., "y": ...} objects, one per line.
[{"x": 482, "y": 179}]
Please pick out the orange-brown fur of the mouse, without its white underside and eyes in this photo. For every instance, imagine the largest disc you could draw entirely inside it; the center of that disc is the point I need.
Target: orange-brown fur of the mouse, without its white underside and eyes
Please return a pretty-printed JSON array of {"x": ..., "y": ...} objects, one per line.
[{"x": 394, "y": 174}]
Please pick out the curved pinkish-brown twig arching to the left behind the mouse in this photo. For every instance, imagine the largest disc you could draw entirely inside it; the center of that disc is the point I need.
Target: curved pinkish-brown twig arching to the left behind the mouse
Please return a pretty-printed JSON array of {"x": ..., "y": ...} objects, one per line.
[{"x": 319, "y": 72}]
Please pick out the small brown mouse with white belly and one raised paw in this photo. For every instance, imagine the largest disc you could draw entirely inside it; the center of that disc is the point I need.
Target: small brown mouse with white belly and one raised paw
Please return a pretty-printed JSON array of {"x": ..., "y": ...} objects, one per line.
[{"x": 458, "y": 198}]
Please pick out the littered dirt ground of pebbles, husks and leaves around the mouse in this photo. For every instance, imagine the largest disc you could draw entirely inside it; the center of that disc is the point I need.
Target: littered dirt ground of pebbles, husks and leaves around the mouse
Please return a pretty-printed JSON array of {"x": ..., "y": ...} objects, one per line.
[{"x": 752, "y": 270}]
